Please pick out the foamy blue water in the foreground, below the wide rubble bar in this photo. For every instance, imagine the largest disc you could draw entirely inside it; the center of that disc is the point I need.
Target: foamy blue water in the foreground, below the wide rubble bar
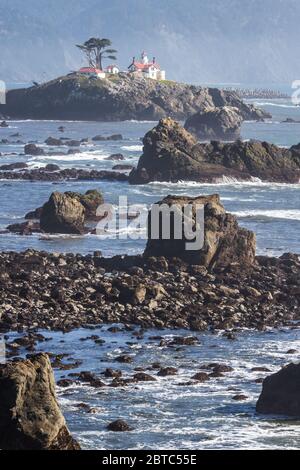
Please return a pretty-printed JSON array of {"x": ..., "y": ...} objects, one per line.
[{"x": 165, "y": 414}]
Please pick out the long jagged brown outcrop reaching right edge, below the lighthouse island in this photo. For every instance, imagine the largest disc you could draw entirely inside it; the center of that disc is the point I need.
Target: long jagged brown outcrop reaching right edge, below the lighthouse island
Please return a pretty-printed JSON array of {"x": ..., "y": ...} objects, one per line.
[{"x": 171, "y": 153}]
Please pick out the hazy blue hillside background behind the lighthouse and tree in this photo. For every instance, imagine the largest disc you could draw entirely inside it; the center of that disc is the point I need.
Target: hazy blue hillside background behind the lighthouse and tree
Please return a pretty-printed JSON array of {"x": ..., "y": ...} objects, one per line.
[{"x": 195, "y": 41}]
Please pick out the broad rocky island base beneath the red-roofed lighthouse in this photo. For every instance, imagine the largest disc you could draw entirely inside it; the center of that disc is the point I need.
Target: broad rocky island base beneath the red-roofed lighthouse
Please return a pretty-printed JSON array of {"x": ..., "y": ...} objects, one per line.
[{"x": 76, "y": 97}]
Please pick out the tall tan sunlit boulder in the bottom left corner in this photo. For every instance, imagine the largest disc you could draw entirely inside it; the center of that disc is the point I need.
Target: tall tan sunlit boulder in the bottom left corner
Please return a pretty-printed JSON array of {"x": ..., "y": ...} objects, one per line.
[{"x": 30, "y": 417}]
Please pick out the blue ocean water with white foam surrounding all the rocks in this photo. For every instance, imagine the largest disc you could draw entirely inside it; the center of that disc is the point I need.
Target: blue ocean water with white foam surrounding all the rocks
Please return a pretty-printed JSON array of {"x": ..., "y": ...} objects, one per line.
[{"x": 165, "y": 414}]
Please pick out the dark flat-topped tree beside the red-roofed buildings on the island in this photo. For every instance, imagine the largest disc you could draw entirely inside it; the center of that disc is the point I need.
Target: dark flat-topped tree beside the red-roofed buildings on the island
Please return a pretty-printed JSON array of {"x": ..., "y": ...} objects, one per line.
[{"x": 96, "y": 49}]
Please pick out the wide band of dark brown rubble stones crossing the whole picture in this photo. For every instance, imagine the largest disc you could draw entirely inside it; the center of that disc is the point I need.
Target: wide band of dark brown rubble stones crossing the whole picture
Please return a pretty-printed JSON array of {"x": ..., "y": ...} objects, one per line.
[{"x": 42, "y": 289}]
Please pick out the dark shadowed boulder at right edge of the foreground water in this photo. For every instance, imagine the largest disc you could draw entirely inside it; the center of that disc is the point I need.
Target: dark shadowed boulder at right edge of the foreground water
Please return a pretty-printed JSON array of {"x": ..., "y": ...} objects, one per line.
[{"x": 281, "y": 393}]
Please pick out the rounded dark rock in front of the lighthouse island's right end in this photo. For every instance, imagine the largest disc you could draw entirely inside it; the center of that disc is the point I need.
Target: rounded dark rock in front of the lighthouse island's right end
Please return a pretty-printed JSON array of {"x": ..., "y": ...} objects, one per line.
[{"x": 216, "y": 124}]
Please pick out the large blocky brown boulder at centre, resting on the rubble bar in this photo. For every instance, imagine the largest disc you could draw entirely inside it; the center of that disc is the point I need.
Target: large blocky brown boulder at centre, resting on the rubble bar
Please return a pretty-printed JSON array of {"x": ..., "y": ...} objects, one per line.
[{"x": 224, "y": 241}]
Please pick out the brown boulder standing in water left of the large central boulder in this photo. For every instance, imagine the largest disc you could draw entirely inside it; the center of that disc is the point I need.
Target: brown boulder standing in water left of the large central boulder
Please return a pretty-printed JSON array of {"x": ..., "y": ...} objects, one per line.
[{"x": 63, "y": 213}]
